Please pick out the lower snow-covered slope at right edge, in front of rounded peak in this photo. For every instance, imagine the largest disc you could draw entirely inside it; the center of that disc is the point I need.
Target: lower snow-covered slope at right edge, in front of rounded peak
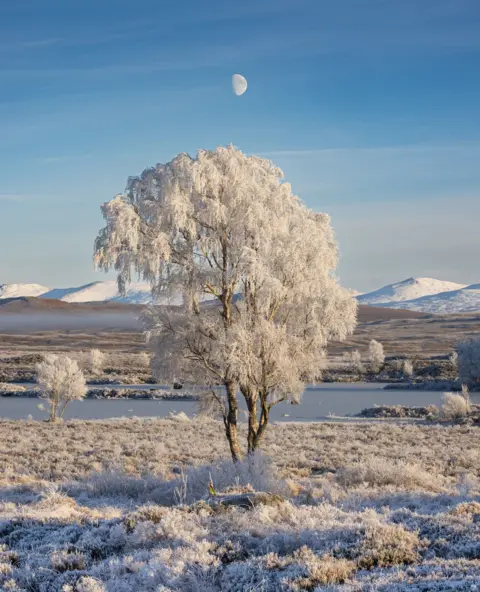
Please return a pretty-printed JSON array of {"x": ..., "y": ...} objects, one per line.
[{"x": 454, "y": 301}]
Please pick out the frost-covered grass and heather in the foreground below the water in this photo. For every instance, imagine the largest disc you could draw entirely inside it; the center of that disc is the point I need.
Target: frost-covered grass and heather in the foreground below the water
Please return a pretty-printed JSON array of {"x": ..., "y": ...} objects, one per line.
[{"x": 124, "y": 505}]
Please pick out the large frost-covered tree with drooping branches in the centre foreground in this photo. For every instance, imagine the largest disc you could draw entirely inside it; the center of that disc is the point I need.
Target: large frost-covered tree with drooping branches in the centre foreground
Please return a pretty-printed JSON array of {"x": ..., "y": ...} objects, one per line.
[{"x": 255, "y": 268}]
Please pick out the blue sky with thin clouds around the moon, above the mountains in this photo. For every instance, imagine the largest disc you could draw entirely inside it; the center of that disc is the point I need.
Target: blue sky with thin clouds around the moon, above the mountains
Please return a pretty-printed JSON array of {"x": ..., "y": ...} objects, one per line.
[{"x": 371, "y": 107}]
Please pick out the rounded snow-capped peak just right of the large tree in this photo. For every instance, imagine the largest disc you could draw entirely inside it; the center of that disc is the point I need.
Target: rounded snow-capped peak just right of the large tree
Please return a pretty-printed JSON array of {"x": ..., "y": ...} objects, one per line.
[{"x": 409, "y": 289}]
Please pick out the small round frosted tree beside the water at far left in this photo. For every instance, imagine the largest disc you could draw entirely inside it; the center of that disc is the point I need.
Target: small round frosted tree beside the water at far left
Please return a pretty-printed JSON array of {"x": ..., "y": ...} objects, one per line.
[{"x": 60, "y": 380}]
